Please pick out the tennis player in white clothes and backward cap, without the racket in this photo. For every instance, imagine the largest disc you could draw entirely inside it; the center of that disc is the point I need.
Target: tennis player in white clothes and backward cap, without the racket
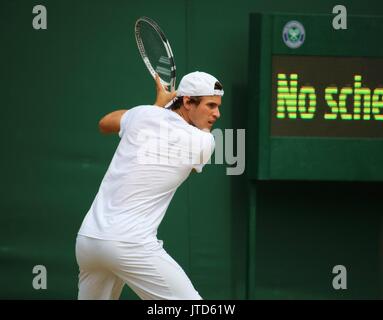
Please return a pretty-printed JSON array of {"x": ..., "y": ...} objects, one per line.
[{"x": 117, "y": 243}]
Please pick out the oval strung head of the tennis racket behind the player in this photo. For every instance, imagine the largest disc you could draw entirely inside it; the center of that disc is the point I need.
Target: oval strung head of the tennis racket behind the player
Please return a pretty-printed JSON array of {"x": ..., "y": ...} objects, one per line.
[{"x": 155, "y": 51}]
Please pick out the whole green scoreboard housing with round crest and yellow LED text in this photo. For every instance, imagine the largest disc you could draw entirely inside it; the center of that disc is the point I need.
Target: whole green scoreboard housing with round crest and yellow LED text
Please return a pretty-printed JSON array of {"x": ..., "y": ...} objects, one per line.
[{"x": 316, "y": 98}]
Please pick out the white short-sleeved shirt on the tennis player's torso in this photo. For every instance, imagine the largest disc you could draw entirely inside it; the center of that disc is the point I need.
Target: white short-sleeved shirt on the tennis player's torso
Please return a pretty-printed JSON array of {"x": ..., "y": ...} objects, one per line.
[{"x": 157, "y": 151}]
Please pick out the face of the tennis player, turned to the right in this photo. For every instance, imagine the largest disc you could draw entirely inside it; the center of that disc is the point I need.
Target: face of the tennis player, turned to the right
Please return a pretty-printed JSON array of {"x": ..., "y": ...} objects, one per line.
[{"x": 206, "y": 113}]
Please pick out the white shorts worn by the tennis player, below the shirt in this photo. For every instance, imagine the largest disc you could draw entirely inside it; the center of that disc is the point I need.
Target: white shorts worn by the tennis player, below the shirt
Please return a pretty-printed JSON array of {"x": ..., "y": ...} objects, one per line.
[{"x": 105, "y": 266}]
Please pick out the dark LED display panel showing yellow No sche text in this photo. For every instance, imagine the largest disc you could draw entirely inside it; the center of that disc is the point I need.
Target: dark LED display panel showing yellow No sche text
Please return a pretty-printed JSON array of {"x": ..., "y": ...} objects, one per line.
[{"x": 327, "y": 96}]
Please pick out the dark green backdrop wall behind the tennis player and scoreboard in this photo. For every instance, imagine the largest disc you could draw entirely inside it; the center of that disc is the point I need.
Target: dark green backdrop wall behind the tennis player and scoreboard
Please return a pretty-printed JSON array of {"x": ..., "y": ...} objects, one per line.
[{"x": 55, "y": 86}]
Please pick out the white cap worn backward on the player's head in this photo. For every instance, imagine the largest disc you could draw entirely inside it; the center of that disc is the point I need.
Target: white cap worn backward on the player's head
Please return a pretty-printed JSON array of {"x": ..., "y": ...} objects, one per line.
[{"x": 198, "y": 84}]
